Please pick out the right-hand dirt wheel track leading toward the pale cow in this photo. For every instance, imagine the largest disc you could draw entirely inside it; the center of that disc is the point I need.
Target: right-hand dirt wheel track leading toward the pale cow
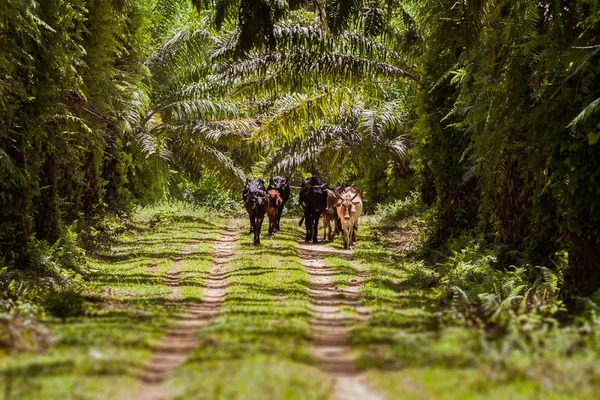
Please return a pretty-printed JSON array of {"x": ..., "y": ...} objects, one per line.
[{"x": 330, "y": 327}]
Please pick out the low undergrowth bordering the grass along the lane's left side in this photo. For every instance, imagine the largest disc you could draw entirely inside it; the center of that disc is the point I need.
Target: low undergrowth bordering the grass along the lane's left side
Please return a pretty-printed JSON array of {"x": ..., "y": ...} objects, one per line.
[{"x": 55, "y": 280}]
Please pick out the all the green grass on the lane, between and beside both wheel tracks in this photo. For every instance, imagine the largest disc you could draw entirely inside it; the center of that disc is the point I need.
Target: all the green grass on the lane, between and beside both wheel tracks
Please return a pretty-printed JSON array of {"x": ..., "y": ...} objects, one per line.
[{"x": 259, "y": 346}]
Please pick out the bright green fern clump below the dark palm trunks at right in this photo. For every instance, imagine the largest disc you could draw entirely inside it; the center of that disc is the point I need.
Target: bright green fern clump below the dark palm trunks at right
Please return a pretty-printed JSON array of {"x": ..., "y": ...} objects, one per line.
[{"x": 482, "y": 295}]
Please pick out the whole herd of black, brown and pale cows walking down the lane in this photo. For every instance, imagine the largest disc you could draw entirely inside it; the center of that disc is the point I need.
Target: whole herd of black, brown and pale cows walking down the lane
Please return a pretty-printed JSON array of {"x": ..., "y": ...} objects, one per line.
[{"x": 340, "y": 206}]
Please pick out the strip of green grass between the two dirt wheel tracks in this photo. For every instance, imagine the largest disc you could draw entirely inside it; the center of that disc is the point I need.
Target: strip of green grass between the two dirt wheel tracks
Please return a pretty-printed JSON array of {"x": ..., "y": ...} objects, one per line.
[{"x": 258, "y": 348}]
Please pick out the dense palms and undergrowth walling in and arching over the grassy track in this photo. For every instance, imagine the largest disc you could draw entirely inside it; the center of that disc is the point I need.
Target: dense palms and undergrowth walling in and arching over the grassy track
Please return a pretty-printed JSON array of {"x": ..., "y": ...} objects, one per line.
[{"x": 472, "y": 127}]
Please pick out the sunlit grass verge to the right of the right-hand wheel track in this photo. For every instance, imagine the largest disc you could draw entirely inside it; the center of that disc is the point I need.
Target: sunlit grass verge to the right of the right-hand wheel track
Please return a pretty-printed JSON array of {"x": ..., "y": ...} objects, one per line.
[{"x": 410, "y": 352}]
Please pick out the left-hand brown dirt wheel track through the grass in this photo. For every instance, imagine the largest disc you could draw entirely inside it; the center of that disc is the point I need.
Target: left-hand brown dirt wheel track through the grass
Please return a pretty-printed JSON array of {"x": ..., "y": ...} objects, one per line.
[{"x": 180, "y": 340}]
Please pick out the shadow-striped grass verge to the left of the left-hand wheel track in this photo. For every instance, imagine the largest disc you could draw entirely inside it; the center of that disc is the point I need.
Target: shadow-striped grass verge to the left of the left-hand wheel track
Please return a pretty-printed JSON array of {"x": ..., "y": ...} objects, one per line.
[{"x": 101, "y": 354}]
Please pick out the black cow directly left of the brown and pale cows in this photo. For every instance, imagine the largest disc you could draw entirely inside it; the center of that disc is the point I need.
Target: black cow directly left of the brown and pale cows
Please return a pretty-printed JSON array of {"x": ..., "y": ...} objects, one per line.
[{"x": 313, "y": 200}]
